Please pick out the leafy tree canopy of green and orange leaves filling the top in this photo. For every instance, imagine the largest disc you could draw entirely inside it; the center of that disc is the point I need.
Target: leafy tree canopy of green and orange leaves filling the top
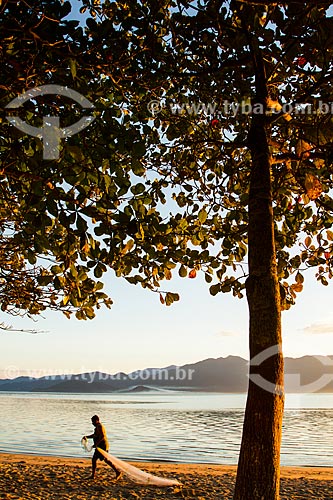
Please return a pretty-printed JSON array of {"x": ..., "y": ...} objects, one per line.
[{"x": 102, "y": 203}]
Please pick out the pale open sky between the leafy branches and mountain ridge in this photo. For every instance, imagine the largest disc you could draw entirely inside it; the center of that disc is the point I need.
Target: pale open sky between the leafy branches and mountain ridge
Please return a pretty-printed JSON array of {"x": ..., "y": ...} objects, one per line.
[{"x": 139, "y": 332}]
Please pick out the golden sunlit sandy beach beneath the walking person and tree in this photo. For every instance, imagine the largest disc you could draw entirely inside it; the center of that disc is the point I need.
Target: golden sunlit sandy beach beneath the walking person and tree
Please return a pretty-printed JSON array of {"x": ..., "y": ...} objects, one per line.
[{"x": 28, "y": 477}]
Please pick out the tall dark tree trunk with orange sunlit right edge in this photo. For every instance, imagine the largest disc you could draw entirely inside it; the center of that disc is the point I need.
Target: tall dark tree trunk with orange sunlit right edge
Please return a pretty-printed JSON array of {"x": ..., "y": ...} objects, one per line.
[{"x": 258, "y": 474}]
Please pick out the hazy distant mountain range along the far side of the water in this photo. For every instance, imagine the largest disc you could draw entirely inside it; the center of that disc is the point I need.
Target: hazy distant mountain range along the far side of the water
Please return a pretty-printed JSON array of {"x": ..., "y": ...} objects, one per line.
[{"x": 305, "y": 374}]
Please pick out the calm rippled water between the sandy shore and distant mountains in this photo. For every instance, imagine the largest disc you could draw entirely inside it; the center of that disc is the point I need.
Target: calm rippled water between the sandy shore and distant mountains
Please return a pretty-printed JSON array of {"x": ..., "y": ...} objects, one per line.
[{"x": 190, "y": 427}]
